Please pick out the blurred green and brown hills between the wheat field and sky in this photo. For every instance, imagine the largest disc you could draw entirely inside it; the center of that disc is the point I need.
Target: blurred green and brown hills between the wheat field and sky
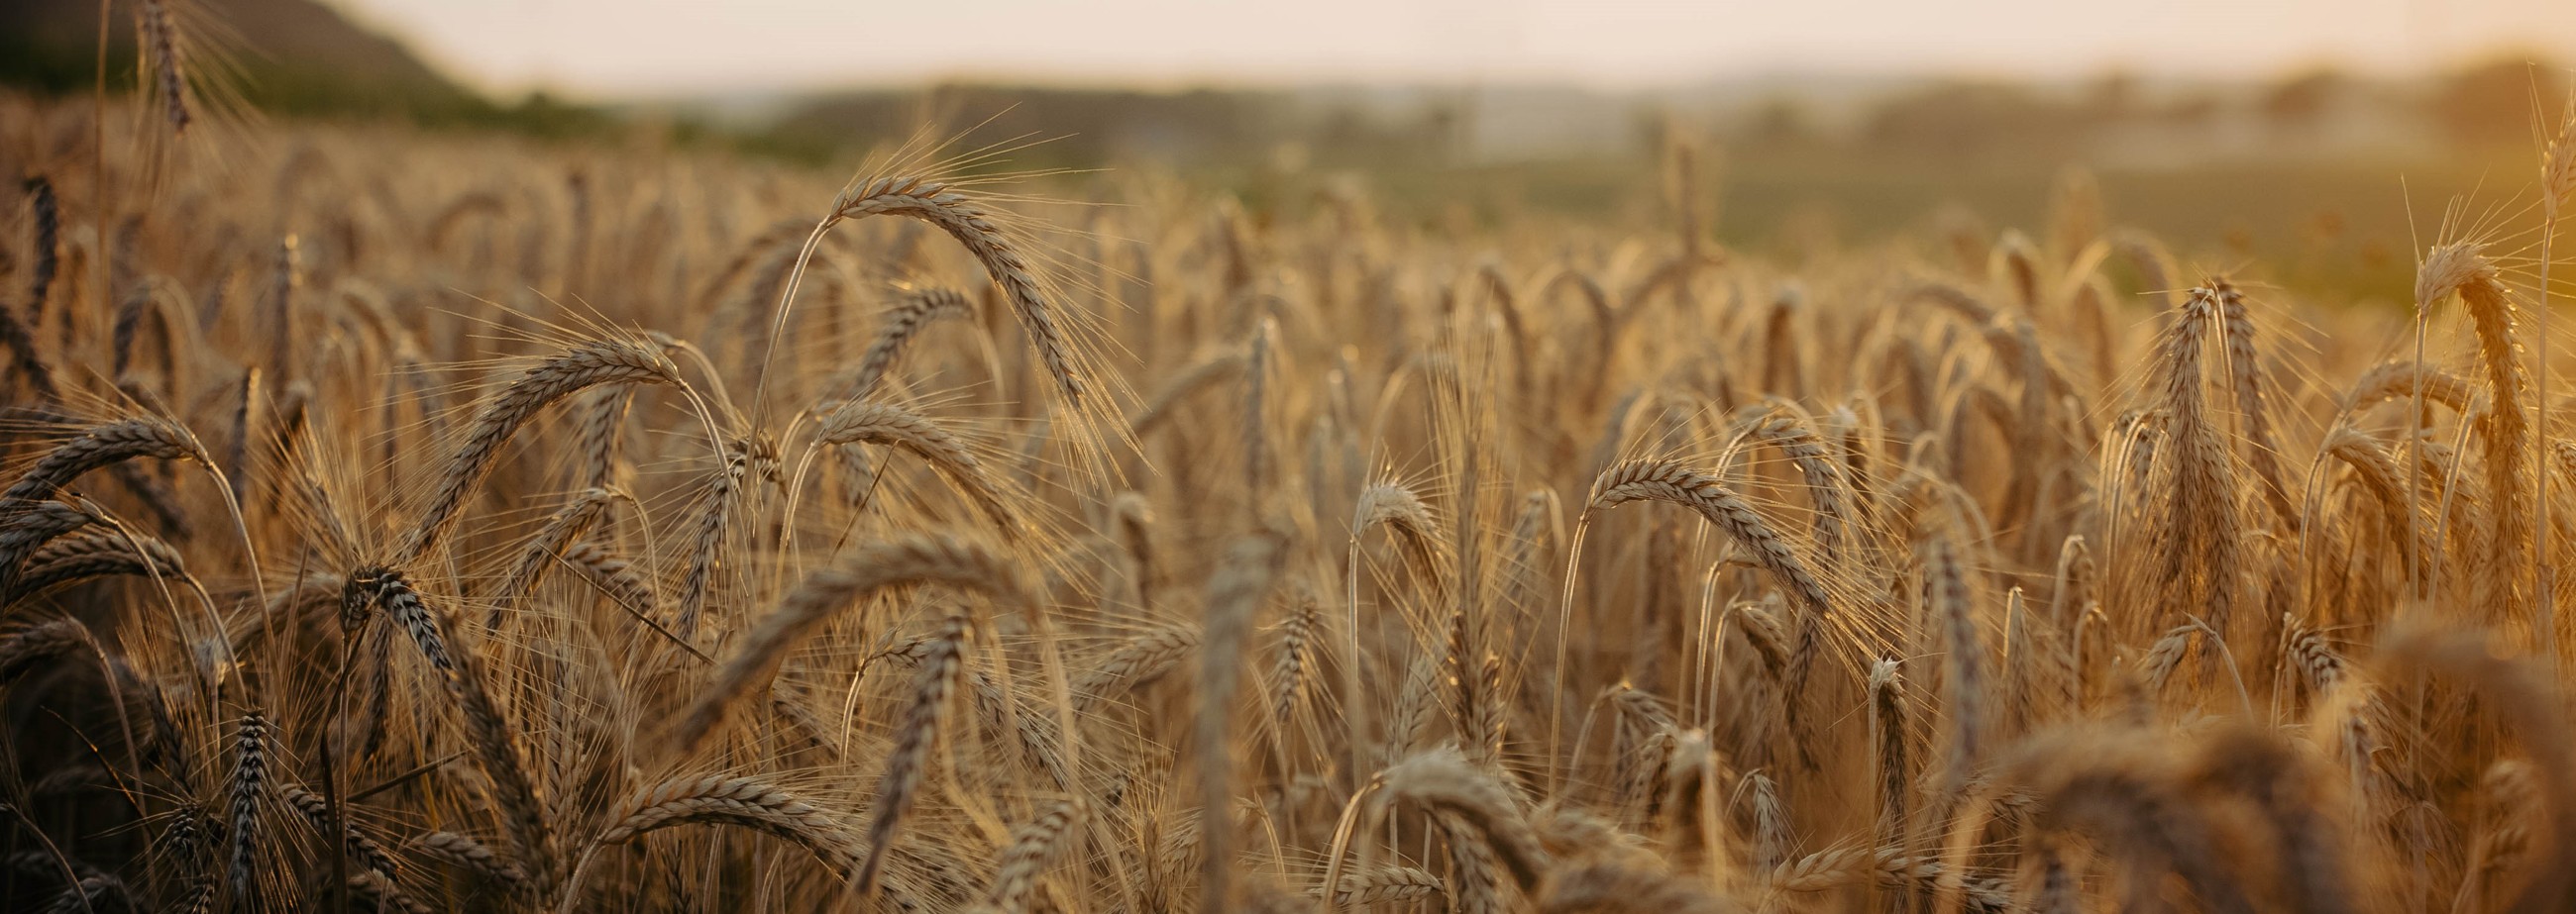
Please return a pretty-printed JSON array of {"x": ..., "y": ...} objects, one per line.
[{"x": 2315, "y": 171}]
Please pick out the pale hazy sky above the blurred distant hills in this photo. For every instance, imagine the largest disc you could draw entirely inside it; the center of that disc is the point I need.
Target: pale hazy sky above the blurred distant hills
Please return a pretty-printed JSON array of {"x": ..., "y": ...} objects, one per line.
[{"x": 661, "y": 48}]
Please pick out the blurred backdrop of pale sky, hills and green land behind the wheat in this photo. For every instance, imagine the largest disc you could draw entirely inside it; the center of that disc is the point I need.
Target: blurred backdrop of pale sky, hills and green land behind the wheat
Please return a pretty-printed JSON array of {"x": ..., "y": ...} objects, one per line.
[{"x": 2320, "y": 138}]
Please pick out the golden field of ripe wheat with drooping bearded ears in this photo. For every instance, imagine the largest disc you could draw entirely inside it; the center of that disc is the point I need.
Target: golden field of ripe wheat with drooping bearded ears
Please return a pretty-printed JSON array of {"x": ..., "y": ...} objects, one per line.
[{"x": 452, "y": 524}]
